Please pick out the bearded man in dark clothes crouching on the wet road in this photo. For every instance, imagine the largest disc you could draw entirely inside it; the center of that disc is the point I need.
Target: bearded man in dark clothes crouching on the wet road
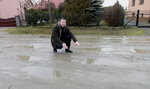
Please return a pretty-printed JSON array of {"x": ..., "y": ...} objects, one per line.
[{"x": 61, "y": 37}]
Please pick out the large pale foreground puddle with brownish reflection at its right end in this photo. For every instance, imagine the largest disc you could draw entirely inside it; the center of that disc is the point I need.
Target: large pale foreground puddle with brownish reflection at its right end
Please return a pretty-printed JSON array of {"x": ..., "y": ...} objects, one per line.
[{"x": 43, "y": 72}]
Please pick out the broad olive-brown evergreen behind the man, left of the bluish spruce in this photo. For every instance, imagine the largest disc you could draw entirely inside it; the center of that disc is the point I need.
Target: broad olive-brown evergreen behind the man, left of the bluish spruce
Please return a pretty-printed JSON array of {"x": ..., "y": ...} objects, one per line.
[{"x": 75, "y": 12}]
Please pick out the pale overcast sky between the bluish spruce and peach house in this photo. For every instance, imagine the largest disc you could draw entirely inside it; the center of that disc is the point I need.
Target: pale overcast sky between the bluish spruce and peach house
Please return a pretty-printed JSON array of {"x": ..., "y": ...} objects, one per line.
[{"x": 124, "y": 3}]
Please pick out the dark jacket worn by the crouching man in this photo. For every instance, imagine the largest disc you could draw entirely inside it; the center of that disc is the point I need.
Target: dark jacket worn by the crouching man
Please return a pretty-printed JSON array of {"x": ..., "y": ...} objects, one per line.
[{"x": 57, "y": 35}]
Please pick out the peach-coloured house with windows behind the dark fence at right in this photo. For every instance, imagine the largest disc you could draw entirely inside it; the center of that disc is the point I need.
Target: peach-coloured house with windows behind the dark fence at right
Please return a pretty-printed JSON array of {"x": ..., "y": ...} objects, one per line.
[{"x": 142, "y": 5}]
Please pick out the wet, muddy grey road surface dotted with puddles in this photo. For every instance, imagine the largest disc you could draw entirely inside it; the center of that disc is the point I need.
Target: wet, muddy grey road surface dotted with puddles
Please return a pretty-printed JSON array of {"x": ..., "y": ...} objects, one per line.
[{"x": 101, "y": 62}]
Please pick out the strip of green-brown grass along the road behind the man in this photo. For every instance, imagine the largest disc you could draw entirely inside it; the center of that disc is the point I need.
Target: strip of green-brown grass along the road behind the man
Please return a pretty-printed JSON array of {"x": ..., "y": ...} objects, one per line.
[{"x": 81, "y": 31}]
